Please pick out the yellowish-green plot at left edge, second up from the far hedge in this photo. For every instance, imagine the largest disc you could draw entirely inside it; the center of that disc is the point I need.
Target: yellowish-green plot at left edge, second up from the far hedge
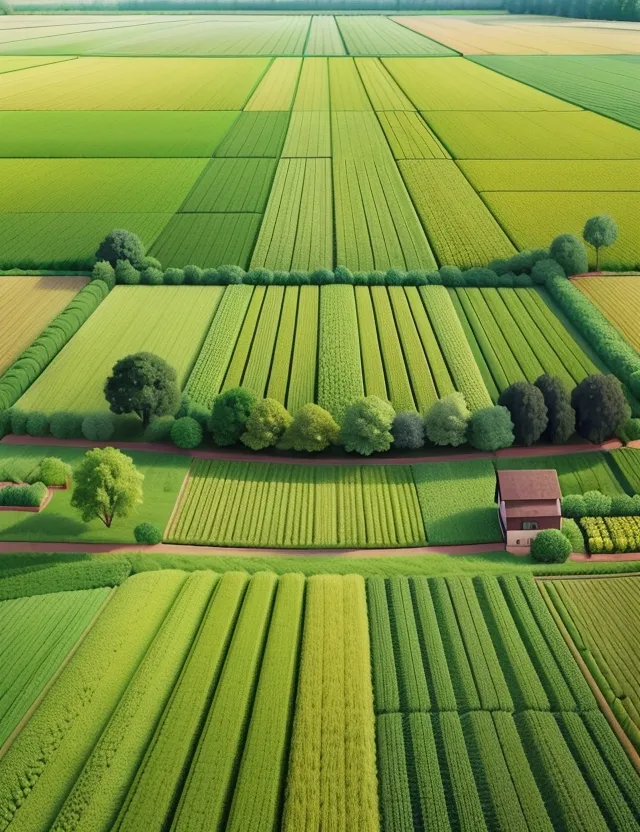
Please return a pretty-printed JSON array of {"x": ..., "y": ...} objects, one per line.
[{"x": 78, "y": 186}]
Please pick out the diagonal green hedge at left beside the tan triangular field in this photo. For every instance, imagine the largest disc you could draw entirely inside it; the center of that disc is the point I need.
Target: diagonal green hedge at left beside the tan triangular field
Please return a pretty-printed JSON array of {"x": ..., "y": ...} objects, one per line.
[{"x": 26, "y": 369}]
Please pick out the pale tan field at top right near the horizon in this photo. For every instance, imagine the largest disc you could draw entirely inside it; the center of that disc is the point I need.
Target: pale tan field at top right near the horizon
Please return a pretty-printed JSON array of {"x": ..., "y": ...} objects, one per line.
[{"x": 513, "y": 35}]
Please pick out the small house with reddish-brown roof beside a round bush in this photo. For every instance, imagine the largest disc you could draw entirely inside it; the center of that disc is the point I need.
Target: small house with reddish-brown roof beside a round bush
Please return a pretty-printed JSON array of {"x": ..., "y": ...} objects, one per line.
[{"x": 528, "y": 502}]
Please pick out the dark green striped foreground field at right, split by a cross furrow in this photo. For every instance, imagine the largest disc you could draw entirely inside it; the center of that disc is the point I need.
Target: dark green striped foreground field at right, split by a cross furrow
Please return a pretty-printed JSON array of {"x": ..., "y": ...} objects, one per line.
[{"x": 483, "y": 720}]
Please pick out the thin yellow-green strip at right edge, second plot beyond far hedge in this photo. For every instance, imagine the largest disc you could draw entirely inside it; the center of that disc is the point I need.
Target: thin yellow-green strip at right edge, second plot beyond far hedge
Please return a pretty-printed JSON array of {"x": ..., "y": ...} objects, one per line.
[{"x": 552, "y": 174}]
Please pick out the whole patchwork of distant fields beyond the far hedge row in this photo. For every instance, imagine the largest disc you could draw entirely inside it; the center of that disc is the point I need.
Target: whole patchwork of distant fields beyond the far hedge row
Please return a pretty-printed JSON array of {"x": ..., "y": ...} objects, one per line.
[{"x": 374, "y": 139}]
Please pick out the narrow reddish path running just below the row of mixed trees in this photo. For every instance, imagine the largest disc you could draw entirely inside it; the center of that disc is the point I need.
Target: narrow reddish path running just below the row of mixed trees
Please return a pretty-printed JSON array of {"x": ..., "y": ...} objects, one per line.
[{"x": 309, "y": 459}]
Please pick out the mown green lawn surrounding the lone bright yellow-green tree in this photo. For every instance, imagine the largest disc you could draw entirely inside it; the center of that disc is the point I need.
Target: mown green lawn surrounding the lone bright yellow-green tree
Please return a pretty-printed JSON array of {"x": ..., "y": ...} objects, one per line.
[{"x": 163, "y": 477}]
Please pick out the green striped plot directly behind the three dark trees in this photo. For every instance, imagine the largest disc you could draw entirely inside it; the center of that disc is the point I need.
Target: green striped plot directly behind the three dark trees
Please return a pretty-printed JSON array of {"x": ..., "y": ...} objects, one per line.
[{"x": 520, "y": 338}]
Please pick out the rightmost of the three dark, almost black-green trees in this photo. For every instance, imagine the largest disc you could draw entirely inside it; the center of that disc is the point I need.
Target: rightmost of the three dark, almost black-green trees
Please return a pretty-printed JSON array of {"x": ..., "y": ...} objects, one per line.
[{"x": 601, "y": 407}]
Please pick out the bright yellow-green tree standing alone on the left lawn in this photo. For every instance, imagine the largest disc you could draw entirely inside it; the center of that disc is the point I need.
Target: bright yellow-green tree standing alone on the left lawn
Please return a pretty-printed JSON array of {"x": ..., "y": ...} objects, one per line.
[{"x": 107, "y": 485}]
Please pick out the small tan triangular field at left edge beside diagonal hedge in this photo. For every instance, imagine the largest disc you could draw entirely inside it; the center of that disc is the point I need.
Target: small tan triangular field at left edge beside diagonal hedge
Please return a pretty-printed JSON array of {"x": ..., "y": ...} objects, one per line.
[{"x": 27, "y": 304}]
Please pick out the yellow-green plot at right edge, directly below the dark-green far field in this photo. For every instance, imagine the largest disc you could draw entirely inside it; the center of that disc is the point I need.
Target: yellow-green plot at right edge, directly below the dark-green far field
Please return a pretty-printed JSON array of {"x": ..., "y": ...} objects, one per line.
[{"x": 495, "y": 135}]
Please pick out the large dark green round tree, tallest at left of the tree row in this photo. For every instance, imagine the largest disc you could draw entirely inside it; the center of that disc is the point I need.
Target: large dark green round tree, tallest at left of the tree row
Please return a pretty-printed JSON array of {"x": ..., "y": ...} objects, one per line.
[{"x": 143, "y": 384}]
